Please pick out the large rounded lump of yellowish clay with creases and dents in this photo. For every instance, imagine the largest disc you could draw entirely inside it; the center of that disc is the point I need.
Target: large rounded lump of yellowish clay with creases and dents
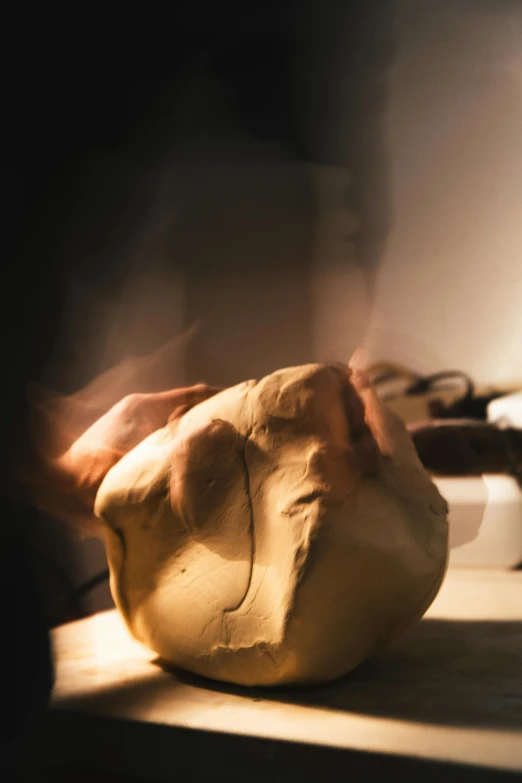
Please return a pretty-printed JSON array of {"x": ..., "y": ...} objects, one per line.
[{"x": 280, "y": 532}]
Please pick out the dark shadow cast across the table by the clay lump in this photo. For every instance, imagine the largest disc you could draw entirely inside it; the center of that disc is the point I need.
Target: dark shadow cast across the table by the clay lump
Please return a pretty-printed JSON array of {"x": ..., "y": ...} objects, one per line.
[{"x": 457, "y": 673}]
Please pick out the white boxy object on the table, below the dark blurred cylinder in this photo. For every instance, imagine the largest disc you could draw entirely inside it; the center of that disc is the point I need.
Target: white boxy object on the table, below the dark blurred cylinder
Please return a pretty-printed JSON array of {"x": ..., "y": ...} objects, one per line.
[{"x": 485, "y": 521}]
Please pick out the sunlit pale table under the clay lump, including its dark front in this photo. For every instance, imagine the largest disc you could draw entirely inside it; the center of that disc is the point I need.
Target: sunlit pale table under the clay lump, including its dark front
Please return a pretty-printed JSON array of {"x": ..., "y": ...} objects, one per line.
[{"x": 447, "y": 696}]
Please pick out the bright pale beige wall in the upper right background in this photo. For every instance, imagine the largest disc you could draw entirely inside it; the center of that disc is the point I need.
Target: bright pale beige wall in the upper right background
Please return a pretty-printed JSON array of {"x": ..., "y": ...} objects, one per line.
[{"x": 449, "y": 288}]
